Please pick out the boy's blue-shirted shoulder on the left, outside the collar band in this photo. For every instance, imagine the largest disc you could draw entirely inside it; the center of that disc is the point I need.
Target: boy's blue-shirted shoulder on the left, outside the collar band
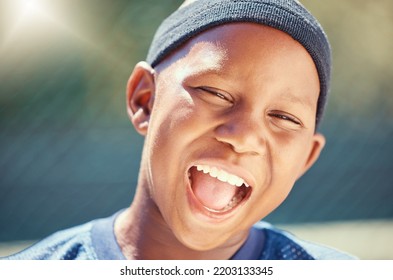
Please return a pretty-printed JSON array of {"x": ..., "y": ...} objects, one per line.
[{"x": 70, "y": 244}]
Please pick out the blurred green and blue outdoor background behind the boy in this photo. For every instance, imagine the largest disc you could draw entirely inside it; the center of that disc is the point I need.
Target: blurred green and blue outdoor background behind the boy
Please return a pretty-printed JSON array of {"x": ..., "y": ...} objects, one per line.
[{"x": 68, "y": 153}]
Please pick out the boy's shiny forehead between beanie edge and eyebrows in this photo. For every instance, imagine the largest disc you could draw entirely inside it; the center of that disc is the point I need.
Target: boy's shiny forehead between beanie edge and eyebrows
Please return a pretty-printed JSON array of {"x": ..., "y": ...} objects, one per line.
[{"x": 248, "y": 48}]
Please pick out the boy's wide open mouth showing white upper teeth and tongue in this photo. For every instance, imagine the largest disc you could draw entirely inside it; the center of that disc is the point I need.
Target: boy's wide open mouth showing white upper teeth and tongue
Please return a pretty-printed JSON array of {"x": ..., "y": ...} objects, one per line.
[{"x": 217, "y": 190}]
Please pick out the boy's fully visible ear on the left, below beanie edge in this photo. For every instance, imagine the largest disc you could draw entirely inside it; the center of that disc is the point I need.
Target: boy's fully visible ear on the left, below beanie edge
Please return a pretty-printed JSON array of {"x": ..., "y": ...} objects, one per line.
[{"x": 140, "y": 96}]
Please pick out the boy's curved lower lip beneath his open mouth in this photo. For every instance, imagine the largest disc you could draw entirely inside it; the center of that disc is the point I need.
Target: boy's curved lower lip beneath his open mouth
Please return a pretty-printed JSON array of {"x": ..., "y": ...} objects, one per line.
[{"x": 210, "y": 215}]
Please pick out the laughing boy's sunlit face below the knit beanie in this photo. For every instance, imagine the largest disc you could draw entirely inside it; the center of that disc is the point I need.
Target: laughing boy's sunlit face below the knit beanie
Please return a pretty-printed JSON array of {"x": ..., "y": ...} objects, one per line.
[{"x": 238, "y": 100}]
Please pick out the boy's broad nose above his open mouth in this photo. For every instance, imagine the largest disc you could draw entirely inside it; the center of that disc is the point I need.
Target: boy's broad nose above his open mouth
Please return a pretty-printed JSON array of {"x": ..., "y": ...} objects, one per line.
[{"x": 243, "y": 133}]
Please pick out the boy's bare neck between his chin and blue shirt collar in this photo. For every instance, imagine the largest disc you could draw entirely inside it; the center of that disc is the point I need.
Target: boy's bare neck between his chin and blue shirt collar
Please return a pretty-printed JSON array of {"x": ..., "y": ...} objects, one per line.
[{"x": 142, "y": 233}]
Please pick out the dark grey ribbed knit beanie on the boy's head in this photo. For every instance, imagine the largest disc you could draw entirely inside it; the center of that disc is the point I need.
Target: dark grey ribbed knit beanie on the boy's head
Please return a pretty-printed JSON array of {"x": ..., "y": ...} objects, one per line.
[{"x": 288, "y": 16}]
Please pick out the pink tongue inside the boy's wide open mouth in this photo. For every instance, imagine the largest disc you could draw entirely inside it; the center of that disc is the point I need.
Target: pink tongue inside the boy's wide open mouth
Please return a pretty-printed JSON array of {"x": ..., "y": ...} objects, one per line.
[{"x": 210, "y": 191}]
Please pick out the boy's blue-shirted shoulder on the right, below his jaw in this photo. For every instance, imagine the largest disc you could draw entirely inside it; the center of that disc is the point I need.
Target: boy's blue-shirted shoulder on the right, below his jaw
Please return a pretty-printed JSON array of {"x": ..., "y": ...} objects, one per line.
[{"x": 280, "y": 244}]
